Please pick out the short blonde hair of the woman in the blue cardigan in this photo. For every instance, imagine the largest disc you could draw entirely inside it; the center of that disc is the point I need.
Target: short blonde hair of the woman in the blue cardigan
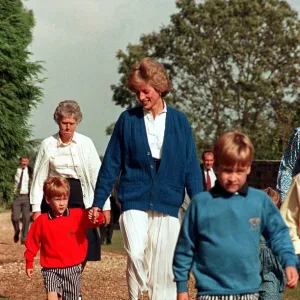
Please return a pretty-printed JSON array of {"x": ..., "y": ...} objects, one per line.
[{"x": 151, "y": 72}]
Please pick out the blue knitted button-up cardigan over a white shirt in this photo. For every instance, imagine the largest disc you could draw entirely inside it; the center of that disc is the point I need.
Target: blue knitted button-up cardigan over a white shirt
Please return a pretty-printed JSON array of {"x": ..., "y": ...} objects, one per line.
[{"x": 128, "y": 155}]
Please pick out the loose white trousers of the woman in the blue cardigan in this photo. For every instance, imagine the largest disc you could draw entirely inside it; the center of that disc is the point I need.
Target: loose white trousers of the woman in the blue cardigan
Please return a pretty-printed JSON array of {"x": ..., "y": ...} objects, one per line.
[{"x": 149, "y": 240}]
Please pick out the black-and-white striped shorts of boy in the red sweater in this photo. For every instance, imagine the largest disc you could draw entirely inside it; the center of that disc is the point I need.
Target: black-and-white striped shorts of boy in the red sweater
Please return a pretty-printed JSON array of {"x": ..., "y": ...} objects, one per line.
[{"x": 65, "y": 281}]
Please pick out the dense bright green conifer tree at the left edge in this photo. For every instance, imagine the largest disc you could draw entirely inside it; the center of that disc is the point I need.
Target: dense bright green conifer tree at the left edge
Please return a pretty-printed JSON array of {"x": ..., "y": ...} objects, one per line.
[{"x": 20, "y": 88}]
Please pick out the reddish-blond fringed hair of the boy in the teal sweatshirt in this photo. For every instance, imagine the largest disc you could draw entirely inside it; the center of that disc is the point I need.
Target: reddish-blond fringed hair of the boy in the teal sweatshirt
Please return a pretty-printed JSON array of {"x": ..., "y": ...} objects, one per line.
[{"x": 233, "y": 148}]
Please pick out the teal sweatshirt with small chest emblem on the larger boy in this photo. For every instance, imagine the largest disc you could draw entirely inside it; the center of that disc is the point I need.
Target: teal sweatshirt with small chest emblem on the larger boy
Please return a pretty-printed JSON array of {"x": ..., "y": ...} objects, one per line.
[{"x": 219, "y": 240}]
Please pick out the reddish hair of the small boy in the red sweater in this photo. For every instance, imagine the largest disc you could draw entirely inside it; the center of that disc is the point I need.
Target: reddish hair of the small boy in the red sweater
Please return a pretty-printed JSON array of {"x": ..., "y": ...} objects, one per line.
[{"x": 56, "y": 187}]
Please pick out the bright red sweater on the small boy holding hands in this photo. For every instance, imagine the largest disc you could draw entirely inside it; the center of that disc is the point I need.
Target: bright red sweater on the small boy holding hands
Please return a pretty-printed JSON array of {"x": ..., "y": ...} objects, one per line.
[{"x": 62, "y": 240}]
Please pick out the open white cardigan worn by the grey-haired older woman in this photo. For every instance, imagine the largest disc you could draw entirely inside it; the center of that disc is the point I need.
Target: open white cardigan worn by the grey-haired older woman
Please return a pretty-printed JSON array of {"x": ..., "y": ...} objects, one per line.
[{"x": 87, "y": 169}]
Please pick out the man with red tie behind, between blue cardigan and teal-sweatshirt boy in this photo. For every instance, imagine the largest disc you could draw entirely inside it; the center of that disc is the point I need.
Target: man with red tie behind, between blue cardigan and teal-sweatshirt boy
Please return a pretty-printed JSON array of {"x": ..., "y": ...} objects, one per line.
[{"x": 208, "y": 174}]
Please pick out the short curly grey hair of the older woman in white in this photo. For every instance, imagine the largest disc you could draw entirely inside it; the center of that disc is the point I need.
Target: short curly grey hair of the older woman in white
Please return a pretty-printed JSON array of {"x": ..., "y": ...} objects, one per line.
[{"x": 68, "y": 108}]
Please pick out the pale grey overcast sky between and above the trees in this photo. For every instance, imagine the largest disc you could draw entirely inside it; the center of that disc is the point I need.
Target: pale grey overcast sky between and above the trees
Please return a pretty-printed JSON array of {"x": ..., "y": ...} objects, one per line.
[{"x": 78, "y": 40}]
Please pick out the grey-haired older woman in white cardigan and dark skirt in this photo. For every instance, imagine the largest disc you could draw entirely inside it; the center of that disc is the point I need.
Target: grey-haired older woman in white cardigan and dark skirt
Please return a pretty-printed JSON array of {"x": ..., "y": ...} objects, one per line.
[{"x": 73, "y": 156}]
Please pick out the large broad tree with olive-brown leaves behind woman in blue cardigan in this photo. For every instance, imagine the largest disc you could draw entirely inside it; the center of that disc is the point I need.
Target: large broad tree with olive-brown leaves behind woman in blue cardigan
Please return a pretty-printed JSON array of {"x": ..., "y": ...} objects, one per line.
[{"x": 234, "y": 66}]
